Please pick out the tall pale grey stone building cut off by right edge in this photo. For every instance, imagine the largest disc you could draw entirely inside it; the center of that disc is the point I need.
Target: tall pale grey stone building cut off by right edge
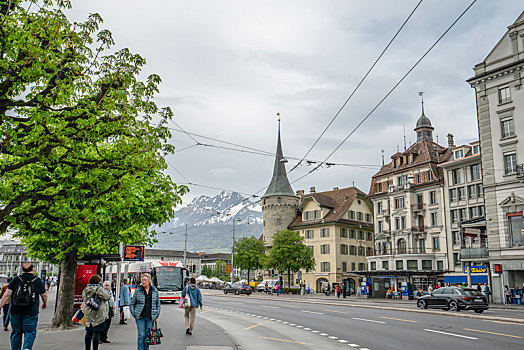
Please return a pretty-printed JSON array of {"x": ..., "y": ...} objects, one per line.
[{"x": 500, "y": 112}]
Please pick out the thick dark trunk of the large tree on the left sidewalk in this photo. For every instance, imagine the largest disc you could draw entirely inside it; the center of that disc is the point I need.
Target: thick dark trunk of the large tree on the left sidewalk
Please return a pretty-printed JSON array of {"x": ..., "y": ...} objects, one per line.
[{"x": 66, "y": 293}]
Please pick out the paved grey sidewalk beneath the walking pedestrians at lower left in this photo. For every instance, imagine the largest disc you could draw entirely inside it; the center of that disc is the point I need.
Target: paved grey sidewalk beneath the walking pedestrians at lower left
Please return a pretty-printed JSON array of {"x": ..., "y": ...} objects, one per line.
[{"x": 206, "y": 335}]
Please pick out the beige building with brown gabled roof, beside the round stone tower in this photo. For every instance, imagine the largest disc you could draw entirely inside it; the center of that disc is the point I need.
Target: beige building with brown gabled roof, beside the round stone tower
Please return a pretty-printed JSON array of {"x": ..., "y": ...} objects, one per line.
[{"x": 338, "y": 226}]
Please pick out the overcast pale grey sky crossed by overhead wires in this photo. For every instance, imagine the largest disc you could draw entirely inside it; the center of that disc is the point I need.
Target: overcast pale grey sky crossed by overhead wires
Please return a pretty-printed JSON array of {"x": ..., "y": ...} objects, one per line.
[{"x": 229, "y": 66}]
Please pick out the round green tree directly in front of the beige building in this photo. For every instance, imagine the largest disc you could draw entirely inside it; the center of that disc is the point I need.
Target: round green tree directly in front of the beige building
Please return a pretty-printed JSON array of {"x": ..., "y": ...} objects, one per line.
[{"x": 290, "y": 254}]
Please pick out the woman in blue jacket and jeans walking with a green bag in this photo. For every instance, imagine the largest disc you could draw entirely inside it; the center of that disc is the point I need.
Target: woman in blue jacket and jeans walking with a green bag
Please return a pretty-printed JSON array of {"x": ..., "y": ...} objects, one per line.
[{"x": 145, "y": 308}]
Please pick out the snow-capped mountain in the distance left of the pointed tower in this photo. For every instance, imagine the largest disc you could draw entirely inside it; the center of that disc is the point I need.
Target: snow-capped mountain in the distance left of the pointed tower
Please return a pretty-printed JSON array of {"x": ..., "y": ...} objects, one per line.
[{"x": 210, "y": 223}]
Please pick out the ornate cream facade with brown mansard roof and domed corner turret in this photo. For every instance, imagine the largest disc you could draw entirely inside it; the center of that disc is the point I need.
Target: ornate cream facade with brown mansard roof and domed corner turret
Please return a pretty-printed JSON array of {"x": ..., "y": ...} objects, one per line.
[{"x": 409, "y": 219}]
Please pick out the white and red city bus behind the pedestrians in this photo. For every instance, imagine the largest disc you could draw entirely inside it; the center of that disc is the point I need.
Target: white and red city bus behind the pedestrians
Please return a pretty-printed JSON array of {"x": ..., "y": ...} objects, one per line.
[{"x": 167, "y": 276}]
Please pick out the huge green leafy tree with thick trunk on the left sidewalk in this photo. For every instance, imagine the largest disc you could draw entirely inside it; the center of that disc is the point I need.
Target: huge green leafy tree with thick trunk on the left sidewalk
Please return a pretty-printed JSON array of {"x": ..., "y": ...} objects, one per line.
[{"x": 82, "y": 141}]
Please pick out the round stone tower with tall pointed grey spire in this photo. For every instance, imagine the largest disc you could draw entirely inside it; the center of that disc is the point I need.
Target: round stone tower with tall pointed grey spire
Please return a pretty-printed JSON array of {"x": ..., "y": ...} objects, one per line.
[{"x": 279, "y": 203}]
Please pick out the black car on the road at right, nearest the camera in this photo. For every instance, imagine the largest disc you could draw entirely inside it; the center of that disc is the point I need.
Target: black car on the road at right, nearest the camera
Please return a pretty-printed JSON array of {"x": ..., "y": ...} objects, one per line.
[{"x": 454, "y": 299}]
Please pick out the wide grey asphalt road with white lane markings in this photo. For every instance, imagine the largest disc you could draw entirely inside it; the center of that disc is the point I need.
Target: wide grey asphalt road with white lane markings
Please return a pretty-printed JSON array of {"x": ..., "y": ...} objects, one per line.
[{"x": 376, "y": 329}]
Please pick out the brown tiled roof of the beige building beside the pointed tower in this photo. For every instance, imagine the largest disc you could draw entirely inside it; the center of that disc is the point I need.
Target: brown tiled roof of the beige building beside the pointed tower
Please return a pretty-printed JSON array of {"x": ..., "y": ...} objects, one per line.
[{"x": 338, "y": 201}]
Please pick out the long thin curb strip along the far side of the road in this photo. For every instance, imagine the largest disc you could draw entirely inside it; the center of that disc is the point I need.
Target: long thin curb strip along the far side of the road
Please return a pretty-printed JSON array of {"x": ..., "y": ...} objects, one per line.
[{"x": 376, "y": 307}]
